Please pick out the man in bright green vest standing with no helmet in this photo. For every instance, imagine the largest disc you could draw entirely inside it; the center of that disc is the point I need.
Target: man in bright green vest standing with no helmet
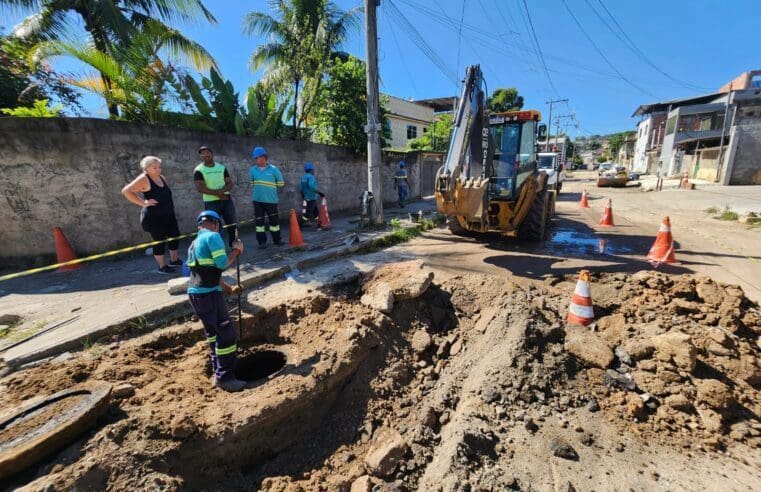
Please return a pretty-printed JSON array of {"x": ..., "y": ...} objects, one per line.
[{"x": 213, "y": 181}]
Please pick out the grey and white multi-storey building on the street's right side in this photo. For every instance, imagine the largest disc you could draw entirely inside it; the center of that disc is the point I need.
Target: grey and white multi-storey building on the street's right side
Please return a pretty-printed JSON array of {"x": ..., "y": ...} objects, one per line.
[{"x": 716, "y": 137}]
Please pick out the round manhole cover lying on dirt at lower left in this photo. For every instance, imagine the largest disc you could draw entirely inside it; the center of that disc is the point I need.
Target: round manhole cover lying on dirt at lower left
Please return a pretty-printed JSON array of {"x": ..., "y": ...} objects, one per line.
[{"x": 45, "y": 425}]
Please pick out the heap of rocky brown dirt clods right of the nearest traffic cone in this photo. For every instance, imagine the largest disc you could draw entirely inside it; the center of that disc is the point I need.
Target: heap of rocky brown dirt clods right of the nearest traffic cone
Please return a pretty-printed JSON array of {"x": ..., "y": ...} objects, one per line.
[{"x": 680, "y": 356}]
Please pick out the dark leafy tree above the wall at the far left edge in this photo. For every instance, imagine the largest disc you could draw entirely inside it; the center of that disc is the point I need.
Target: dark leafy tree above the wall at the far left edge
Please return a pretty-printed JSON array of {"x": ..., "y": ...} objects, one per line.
[{"x": 22, "y": 82}]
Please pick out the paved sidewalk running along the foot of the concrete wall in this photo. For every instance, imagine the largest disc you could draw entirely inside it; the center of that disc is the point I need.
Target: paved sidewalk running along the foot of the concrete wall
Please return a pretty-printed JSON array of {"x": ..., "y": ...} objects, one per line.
[{"x": 107, "y": 295}]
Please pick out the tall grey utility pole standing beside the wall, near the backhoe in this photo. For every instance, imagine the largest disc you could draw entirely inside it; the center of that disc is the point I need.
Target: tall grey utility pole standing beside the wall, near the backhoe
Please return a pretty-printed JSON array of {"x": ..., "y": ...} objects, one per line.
[{"x": 374, "y": 126}]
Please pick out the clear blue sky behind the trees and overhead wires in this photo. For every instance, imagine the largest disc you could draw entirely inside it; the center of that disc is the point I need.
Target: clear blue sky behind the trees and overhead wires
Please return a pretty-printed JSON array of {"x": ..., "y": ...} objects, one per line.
[{"x": 702, "y": 44}]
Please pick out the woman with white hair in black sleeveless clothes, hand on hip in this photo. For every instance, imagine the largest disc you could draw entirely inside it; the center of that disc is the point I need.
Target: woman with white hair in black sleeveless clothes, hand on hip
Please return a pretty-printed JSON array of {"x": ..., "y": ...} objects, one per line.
[{"x": 157, "y": 215}]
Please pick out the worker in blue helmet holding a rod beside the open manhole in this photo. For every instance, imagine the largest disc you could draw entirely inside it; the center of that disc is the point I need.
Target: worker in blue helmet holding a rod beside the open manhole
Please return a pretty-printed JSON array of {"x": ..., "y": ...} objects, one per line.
[{"x": 207, "y": 260}]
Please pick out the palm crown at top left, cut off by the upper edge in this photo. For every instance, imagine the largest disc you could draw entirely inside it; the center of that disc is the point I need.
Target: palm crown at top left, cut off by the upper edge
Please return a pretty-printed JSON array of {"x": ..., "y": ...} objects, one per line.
[{"x": 110, "y": 23}]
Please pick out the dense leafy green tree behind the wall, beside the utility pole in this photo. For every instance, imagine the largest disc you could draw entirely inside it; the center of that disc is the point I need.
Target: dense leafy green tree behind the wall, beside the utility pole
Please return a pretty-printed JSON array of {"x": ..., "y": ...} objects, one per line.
[{"x": 343, "y": 107}]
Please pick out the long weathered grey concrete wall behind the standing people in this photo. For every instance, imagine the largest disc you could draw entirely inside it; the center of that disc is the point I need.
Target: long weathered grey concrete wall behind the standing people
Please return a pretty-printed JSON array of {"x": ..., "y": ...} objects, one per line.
[{"x": 69, "y": 173}]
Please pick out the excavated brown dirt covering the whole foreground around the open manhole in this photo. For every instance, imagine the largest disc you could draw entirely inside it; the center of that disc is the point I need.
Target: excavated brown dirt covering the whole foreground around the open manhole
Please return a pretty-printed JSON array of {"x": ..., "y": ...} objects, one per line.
[{"x": 474, "y": 383}]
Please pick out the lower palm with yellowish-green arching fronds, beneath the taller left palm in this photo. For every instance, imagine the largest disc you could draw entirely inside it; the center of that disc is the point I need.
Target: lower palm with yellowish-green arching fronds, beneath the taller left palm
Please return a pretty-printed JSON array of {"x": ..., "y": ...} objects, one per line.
[{"x": 138, "y": 75}]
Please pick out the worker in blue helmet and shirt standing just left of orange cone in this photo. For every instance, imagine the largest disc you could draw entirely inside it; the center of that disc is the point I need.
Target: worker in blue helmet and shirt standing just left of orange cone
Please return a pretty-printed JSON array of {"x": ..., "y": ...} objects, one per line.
[{"x": 266, "y": 185}]
